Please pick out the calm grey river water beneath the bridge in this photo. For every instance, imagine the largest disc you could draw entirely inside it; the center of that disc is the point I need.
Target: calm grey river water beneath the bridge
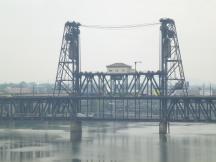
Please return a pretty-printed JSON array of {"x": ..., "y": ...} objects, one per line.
[{"x": 28, "y": 141}]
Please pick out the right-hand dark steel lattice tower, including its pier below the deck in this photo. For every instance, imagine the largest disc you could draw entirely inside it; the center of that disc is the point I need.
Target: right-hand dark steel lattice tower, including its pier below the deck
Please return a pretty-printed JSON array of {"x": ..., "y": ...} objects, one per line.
[{"x": 172, "y": 81}]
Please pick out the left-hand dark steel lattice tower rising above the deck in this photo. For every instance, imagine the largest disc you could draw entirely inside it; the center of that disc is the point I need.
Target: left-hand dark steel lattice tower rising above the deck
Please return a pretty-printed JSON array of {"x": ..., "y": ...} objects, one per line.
[{"x": 67, "y": 77}]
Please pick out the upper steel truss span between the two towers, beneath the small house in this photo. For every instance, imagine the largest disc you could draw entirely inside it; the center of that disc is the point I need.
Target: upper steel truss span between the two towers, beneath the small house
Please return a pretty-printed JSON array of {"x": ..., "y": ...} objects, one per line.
[{"x": 125, "y": 84}]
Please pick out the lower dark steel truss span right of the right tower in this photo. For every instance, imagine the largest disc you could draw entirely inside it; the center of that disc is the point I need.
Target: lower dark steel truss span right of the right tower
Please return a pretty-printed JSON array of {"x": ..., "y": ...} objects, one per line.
[{"x": 192, "y": 108}]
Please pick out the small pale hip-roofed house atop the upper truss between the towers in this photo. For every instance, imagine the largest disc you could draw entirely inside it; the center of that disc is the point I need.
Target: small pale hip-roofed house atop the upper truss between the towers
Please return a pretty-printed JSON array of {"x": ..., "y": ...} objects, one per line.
[{"x": 119, "y": 68}]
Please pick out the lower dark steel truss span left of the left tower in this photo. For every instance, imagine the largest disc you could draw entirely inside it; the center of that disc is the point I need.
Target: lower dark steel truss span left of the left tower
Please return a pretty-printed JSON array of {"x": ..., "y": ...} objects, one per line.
[{"x": 37, "y": 107}]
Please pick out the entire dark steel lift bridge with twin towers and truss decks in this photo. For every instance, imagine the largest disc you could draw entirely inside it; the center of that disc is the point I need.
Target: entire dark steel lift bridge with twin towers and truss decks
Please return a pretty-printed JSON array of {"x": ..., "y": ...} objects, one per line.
[{"x": 139, "y": 96}]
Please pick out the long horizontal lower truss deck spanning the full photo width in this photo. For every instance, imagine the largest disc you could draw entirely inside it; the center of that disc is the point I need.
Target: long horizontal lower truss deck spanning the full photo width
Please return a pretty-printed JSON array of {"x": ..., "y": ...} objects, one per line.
[{"x": 146, "y": 108}]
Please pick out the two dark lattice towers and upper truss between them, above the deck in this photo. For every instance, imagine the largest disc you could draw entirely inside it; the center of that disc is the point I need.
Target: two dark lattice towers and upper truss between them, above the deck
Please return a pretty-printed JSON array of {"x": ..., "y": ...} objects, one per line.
[{"x": 69, "y": 79}]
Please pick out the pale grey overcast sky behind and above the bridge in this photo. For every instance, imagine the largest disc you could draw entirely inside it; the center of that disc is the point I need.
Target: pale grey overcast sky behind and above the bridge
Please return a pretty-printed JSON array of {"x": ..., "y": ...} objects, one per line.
[{"x": 31, "y": 33}]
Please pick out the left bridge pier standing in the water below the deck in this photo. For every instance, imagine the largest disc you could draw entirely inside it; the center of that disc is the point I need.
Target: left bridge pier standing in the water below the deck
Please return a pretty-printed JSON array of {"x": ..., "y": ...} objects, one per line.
[{"x": 75, "y": 130}]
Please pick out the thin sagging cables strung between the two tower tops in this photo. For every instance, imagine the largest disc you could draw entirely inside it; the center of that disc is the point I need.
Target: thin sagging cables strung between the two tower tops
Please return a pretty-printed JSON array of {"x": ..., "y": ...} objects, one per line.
[{"x": 119, "y": 26}]
